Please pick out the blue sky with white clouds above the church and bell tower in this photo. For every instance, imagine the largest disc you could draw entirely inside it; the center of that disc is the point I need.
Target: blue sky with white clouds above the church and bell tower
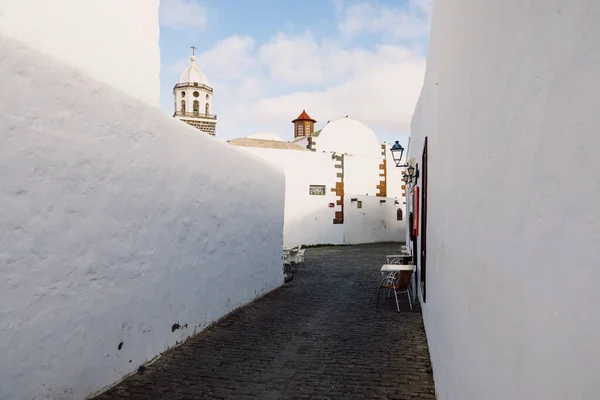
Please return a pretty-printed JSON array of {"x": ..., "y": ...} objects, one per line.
[{"x": 269, "y": 59}]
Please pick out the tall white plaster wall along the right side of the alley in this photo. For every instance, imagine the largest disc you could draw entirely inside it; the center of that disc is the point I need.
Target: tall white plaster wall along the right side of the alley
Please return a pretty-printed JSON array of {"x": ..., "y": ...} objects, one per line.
[{"x": 513, "y": 286}]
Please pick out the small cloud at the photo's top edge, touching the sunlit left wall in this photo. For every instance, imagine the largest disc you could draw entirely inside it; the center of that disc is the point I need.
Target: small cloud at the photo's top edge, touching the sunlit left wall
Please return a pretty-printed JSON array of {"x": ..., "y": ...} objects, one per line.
[{"x": 182, "y": 14}]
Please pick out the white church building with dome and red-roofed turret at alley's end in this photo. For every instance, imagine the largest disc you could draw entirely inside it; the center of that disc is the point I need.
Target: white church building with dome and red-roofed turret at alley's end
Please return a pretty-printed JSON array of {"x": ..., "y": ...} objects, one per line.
[{"x": 342, "y": 186}]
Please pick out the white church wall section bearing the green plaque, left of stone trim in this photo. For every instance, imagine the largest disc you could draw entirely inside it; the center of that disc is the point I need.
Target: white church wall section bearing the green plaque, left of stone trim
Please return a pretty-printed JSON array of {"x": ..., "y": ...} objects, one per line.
[{"x": 308, "y": 218}]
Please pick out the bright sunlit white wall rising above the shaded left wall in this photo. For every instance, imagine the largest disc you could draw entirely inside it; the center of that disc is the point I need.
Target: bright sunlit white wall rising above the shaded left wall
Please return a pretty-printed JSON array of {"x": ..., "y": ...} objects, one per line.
[{"x": 115, "y": 41}]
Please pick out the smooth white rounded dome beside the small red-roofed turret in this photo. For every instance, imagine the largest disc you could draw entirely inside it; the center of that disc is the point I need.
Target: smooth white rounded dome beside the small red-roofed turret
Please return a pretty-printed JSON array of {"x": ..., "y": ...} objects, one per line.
[{"x": 349, "y": 136}]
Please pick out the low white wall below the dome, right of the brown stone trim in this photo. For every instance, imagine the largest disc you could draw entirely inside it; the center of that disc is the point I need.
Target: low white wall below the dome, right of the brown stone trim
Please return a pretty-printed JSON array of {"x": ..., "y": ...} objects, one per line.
[{"x": 374, "y": 222}]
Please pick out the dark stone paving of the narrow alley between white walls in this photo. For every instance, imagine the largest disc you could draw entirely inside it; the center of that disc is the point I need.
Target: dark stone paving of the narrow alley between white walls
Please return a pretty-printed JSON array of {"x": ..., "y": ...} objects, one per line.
[{"x": 318, "y": 337}]
